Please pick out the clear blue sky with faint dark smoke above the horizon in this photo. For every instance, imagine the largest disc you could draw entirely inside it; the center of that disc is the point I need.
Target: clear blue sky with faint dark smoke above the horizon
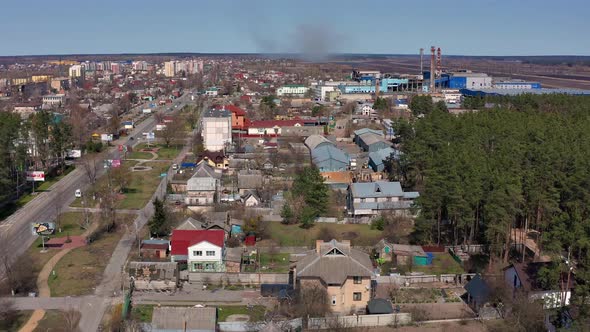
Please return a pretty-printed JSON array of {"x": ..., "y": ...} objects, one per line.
[{"x": 469, "y": 27}]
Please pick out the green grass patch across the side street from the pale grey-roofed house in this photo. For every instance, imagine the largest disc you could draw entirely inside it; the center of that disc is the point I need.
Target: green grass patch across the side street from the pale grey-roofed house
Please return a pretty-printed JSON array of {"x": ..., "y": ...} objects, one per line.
[{"x": 142, "y": 186}]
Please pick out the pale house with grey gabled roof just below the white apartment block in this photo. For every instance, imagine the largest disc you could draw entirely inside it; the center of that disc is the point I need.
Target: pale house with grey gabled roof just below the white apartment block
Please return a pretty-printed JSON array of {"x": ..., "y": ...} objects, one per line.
[{"x": 203, "y": 187}]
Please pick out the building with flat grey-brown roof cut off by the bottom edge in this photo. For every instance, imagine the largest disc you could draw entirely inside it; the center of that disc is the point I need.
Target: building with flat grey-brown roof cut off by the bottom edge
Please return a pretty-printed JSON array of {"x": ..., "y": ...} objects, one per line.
[{"x": 184, "y": 319}]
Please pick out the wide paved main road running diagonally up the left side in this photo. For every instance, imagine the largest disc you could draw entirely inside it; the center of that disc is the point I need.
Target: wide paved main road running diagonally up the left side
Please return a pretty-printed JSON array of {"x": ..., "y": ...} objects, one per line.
[{"x": 16, "y": 229}]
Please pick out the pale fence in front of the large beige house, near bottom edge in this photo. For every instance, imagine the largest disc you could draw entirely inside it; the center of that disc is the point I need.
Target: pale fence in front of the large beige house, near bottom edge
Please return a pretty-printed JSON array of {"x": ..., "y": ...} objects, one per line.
[{"x": 343, "y": 322}]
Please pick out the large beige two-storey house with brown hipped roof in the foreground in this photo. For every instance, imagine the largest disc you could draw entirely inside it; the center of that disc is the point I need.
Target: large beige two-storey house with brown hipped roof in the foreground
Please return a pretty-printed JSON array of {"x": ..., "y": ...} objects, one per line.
[{"x": 344, "y": 272}]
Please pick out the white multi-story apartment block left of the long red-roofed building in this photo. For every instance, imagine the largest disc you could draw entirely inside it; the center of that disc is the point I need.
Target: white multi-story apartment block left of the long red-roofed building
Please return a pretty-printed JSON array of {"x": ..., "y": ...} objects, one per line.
[{"x": 216, "y": 129}]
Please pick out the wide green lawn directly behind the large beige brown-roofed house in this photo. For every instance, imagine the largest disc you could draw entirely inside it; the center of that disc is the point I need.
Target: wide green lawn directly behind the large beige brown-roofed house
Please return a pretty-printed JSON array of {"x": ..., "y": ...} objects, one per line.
[{"x": 293, "y": 235}]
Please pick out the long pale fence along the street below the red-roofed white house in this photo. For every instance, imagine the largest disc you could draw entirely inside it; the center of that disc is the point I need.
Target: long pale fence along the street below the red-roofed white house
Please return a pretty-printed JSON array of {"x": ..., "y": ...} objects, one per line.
[{"x": 239, "y": 278}]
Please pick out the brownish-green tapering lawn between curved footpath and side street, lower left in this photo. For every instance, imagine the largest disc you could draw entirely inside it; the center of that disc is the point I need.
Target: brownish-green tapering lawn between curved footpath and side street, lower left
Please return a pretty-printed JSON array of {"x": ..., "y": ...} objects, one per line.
[{"x": 81, "y": 270}]
